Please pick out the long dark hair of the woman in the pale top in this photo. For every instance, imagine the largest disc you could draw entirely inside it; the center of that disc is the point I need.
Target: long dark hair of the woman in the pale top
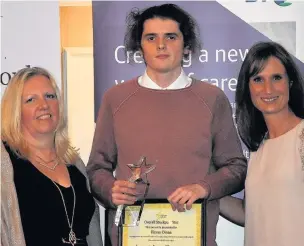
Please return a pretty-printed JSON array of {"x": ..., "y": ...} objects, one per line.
[{"x": 250, "y": 121}]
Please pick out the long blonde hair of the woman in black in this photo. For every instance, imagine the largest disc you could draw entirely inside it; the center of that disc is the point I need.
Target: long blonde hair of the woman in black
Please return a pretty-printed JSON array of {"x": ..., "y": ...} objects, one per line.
[{"x": 11, "y": 131}]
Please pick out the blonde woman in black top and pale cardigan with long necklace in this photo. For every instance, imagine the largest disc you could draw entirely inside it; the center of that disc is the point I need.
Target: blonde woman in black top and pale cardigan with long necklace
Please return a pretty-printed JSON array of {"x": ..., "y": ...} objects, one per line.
[{"x": 45, "y": 197}]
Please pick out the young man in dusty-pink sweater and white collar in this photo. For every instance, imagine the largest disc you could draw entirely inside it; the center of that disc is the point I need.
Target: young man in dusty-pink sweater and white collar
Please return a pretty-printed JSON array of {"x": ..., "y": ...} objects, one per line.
[{"x": 182, "y": 125}]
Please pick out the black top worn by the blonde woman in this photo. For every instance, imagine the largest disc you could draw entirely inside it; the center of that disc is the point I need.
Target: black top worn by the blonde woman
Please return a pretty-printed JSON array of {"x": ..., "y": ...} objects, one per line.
[{"x": 42, "y": 212}]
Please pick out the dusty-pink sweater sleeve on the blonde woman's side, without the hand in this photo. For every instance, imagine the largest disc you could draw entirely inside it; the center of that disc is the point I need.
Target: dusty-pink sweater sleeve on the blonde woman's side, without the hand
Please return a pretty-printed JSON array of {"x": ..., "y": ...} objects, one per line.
[{"x": 103, "y": 157}]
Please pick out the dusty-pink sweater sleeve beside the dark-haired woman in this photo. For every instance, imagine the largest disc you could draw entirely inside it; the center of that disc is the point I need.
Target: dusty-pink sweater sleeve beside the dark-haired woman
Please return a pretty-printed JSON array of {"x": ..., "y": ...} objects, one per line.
[{"x": 227, "y": 154}]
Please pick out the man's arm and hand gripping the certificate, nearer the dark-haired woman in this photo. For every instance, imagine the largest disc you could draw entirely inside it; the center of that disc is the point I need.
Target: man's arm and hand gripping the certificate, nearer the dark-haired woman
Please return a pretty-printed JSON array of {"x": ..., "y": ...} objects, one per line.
[{"x": 228, "y": 168}]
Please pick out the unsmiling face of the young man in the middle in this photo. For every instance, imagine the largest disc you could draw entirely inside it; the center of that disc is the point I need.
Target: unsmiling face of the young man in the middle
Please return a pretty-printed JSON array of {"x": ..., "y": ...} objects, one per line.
[{"x": 162, "y": 45}]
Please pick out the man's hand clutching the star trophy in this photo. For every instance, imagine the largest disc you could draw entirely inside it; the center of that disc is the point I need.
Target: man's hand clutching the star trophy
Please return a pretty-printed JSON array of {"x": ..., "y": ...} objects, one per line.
[{"x": 124, "y": 192}]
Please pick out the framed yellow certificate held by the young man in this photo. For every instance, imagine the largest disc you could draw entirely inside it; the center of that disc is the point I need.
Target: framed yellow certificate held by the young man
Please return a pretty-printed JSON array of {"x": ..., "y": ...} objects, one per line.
[{"x": 159, "y": 225}]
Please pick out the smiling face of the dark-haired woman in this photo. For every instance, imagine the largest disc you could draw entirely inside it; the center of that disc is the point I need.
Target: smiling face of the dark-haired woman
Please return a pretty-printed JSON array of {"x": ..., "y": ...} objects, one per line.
[{"x": 269, "y": 89}]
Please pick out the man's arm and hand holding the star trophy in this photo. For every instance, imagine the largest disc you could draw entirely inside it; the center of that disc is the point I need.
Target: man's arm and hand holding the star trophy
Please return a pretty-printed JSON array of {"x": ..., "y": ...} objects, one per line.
[{"x": 102, "y": 163}]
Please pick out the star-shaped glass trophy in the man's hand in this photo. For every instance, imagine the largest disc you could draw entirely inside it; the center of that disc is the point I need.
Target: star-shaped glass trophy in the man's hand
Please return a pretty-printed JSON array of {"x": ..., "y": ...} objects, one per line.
[{"x": 139, "y": 172}]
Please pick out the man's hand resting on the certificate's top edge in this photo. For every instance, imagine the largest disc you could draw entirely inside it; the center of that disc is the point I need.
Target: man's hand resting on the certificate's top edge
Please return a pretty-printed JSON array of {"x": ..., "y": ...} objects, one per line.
[{"x": 187, "y": 194}]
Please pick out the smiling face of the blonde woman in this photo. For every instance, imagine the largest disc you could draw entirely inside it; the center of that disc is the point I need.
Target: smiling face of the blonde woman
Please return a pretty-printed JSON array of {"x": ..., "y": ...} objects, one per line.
[{"x": 39, "y": 107}]
